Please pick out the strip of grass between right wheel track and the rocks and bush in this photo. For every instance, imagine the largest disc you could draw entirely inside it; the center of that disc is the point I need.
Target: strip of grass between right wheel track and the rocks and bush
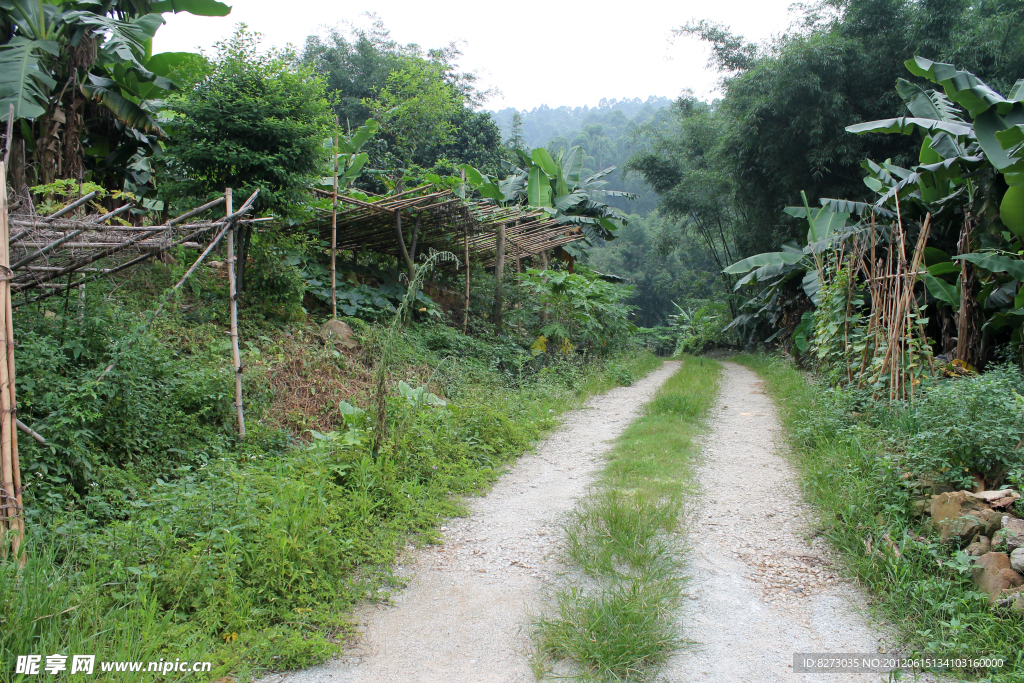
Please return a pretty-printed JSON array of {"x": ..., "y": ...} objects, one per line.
[{"x": 919, "y": 585}]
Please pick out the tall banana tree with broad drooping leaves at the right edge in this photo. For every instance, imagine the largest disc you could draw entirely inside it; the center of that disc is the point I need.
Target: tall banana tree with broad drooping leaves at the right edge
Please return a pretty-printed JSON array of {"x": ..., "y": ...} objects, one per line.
[{"x": 970, "y": 178}]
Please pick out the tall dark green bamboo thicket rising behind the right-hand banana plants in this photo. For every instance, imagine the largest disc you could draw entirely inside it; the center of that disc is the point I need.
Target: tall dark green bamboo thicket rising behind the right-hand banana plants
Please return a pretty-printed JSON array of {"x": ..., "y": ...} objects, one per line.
[{"x": 788, "y": 103}]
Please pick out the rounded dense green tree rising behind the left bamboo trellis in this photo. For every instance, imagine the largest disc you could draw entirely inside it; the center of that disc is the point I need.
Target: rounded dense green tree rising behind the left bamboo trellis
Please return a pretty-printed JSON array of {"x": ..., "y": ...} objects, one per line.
[{"x": 258, "y": 121}]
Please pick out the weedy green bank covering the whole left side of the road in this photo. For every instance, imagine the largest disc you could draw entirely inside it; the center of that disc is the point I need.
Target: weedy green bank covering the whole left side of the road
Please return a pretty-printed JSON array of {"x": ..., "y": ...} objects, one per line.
[{"x": 154, "y": 531}]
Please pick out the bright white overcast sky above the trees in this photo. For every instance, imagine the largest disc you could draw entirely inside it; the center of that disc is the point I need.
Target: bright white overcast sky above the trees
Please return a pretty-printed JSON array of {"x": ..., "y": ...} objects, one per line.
[{"x": 551, "y": 54}]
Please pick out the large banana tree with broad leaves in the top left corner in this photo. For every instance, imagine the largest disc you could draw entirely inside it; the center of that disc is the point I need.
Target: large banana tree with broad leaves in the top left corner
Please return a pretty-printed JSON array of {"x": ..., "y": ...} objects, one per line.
[{"x": 62, "y": 61}]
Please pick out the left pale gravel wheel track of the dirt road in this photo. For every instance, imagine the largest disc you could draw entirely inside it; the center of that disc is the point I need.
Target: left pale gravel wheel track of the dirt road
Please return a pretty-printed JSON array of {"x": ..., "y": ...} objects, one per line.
[{"x": 465, "y": 614}]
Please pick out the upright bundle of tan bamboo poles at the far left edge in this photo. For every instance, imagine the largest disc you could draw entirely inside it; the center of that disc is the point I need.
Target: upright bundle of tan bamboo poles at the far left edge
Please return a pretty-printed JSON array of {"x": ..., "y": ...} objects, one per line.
[{"x": 12, "y": 520}]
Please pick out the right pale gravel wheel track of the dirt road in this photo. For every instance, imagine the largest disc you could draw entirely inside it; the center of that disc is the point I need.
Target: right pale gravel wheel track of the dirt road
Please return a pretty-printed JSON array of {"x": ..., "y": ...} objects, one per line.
[{"x": 762, "y": 586}]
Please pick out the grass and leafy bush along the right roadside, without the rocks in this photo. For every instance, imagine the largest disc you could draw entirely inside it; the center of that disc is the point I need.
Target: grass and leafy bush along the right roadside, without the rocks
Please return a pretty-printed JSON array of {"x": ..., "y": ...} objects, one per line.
[{"x": 865, "y": 463}]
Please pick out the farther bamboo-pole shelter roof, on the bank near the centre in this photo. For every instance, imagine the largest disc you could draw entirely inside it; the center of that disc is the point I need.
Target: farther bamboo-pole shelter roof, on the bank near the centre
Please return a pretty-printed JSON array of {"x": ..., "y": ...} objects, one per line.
[{"x": 446, "y": 223}]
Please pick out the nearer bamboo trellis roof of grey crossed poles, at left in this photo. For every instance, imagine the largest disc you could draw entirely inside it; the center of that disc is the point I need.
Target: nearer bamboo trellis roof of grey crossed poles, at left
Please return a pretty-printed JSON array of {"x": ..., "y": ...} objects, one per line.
[{"x": 59, "y": 252}]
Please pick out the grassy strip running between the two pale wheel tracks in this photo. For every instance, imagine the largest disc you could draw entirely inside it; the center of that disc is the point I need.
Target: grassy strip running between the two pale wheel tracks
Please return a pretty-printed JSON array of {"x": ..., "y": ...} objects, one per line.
[{"x": 616, "y": 619}]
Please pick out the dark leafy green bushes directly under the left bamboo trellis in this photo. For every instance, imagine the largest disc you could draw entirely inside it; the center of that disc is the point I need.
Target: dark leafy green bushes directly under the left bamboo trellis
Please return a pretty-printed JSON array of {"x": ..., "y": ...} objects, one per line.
[{"x": 158, "y": 410}]
